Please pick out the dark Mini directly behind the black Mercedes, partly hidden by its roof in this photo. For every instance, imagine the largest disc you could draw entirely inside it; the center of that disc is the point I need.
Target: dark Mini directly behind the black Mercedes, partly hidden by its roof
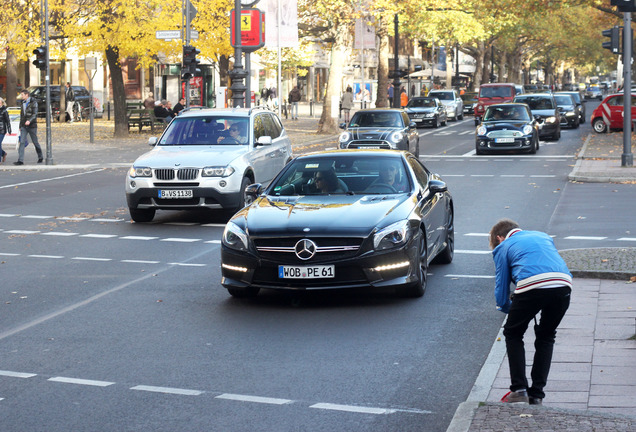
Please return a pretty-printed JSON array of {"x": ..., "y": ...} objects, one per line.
[{"x": 380, "y": 128}]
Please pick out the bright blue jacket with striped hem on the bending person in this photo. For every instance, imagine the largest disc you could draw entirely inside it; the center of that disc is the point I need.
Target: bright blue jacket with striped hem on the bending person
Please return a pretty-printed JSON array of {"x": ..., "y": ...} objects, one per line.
[{"x": 530, "y": 260}]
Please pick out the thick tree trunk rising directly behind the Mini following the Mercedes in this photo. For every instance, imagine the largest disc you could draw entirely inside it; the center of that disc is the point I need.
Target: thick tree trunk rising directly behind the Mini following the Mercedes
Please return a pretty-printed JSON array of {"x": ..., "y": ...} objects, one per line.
[{"x": 329, "y": 124}]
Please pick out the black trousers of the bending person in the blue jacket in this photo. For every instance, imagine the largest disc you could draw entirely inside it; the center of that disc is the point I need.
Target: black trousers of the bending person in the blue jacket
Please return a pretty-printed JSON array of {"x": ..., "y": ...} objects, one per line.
[{"x": 552, "y": 303}]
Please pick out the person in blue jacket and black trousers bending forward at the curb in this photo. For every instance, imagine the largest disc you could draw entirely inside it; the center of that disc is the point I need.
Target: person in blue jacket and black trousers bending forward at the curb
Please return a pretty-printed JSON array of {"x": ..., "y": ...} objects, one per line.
[{"x": 543, "y": 284}]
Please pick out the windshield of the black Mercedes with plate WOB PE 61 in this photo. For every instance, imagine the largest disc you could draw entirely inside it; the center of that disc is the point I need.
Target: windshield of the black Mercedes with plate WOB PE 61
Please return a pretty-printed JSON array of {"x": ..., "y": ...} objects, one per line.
[{"x": 350, "y": 174}]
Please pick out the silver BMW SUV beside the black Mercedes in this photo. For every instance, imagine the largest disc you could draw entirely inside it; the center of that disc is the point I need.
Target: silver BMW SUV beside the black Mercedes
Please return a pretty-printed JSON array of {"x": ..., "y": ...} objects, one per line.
[{"x": 205, "y": 159}]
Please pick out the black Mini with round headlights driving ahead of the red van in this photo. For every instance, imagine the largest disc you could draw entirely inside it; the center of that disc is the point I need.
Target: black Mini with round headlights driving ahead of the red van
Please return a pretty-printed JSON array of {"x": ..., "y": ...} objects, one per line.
[{"x": 506, "y": 127}]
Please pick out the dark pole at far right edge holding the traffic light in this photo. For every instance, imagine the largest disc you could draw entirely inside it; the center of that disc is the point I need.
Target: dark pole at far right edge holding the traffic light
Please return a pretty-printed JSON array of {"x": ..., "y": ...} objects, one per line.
[{"x": 627, "y": 158}]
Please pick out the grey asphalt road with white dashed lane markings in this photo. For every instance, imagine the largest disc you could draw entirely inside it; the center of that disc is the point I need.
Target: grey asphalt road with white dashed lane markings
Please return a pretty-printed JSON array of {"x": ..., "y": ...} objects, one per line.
[{"x": 109, "y": 325}]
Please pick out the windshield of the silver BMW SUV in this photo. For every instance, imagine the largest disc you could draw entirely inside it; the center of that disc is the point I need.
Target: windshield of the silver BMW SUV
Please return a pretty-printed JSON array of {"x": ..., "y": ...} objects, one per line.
[{"x": 206, "y": 131}]
